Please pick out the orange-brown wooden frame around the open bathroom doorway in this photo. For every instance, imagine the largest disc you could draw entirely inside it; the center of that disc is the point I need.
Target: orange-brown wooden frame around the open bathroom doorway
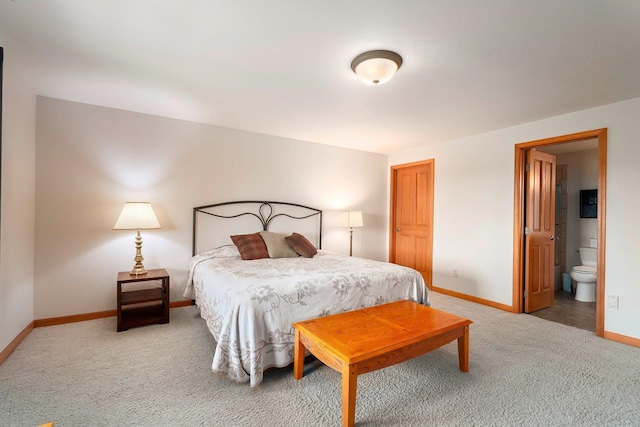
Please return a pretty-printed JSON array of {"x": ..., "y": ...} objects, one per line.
[{"x": 519, "y": 215}]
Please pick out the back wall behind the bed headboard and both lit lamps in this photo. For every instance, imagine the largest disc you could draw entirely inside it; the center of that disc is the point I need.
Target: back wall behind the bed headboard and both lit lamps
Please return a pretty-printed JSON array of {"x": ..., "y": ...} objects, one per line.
[{"x": 90, "y": 160}]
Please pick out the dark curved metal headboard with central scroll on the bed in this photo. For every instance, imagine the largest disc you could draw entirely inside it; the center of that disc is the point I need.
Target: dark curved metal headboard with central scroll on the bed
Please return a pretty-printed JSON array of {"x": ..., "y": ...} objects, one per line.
[{"x": 265, "y": 212}]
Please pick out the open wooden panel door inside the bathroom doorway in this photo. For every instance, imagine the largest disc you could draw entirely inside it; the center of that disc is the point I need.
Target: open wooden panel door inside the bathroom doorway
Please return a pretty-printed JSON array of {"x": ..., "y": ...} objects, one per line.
[{"x": 540, "y": 231}]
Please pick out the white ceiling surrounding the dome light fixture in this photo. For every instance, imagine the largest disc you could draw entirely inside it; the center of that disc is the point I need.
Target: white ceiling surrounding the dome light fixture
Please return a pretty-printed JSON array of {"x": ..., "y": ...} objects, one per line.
[{"x": 282, "y": 67}]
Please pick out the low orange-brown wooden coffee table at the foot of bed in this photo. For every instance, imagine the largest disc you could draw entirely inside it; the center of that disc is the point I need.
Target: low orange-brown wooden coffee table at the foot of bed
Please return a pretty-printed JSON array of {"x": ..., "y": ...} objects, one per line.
[{"x": 368, "y": 339}]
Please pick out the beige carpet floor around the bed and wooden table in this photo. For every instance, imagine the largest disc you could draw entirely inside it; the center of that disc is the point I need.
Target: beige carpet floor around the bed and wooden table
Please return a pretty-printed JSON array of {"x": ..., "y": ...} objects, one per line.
[{"x": 524, "y": 371}]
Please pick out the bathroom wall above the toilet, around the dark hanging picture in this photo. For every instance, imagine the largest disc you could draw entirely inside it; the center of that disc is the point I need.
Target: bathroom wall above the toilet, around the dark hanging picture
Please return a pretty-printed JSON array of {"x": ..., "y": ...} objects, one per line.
[{"x": 582, "y": 174}]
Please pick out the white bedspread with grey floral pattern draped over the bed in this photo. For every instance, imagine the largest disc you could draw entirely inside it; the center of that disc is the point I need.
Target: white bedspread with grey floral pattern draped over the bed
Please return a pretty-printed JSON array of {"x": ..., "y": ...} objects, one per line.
[{"x": 249, "y": 306}]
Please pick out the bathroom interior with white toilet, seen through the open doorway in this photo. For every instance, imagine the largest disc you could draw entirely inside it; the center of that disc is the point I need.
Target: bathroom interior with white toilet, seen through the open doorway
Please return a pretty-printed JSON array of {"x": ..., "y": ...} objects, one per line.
[{"x": 576, "y": 228}]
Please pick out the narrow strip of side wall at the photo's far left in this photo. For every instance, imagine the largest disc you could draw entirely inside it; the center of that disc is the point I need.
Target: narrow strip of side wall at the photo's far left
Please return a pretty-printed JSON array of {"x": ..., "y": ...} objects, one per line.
[{"x": 18, "y": 202}]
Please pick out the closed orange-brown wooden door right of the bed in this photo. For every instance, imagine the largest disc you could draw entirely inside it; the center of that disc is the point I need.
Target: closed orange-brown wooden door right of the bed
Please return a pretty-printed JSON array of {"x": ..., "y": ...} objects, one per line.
[{"x": 411, "y": 234}]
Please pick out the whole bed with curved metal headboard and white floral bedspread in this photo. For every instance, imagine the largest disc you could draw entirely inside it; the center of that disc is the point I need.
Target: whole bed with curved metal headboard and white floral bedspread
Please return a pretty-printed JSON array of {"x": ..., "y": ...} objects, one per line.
[{"x": 249, "y": 305}]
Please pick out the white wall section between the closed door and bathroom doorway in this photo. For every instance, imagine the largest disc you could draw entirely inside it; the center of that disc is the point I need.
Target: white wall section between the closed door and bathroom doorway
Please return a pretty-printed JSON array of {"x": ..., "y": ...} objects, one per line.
[{"x": 472, "y": 211}]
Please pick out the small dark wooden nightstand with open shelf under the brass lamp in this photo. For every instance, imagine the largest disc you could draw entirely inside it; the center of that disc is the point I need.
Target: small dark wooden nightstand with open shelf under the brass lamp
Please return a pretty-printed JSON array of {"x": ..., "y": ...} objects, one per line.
[{"x": 143, "y": 300}]
